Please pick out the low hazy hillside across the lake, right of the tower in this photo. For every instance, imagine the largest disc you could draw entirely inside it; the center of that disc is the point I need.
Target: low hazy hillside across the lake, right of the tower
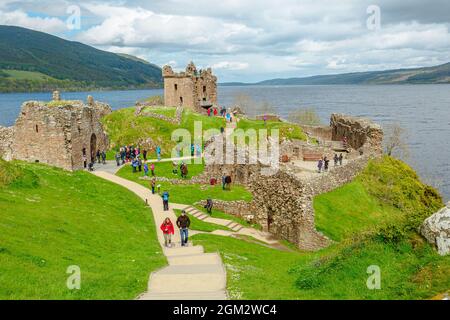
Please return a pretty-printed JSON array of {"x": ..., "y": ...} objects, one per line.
[{"x": 430, "y": 75}]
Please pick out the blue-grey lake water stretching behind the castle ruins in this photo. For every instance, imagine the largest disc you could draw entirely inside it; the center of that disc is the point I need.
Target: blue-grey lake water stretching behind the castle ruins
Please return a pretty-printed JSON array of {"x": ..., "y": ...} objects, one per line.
[{"x": 424, "y": 110}]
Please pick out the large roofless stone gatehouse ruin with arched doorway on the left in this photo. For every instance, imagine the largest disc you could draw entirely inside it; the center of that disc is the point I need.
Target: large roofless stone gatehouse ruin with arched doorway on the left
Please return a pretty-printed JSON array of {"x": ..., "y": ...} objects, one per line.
[{"x": 57, "y": 134}]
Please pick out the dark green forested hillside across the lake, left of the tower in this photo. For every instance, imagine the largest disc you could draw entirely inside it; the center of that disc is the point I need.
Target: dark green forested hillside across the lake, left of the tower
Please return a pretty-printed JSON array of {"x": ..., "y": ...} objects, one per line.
[{"x": 36, "y": 61}]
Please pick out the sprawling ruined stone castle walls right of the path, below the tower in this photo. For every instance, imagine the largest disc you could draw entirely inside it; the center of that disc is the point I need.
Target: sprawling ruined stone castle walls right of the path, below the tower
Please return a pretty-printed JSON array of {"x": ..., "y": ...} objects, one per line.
[{"x": 283, "y": 202}]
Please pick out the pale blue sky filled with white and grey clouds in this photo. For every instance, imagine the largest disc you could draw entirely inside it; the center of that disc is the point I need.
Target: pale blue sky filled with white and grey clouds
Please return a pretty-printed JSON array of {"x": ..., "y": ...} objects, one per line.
[{"x": 251, "y": 40}]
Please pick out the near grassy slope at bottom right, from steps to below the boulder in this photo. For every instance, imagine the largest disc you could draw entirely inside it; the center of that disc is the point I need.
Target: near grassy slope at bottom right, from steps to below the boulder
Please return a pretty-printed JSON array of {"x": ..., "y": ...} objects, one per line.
[{"x": 339, "y": 272}]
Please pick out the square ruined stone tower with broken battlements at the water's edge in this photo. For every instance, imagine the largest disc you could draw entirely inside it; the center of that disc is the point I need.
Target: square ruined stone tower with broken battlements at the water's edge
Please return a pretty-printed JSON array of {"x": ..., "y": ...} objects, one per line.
[{"x": 192, "y": 89}]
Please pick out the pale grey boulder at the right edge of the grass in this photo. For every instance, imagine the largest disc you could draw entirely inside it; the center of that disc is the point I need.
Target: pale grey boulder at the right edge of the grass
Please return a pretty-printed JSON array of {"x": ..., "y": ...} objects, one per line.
[{"x": 436, "y": 229}]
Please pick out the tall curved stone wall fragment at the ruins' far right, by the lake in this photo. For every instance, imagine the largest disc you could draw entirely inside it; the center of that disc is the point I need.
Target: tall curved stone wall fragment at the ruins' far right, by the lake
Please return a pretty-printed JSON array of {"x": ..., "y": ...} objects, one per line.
[{"x": 360, "y": 132}]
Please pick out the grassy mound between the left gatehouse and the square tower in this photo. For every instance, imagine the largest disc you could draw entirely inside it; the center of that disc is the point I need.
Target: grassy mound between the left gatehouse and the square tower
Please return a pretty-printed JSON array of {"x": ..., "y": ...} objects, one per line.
[{"x": 124, "y": 128}]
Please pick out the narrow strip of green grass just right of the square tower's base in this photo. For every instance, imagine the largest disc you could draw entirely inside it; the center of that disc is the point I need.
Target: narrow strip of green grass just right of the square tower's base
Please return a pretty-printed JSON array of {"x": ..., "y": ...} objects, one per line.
[{"x": 287, "y": 130}]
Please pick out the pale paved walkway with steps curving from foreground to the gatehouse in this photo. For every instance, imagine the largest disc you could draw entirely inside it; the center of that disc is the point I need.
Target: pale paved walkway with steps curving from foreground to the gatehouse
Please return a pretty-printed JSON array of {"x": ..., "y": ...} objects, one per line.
[{"x": 191, "y": 274}]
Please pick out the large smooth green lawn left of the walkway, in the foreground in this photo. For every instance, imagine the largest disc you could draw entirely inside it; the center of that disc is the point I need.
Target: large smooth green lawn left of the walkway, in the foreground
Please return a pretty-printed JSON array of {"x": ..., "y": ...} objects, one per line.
[{"x": 51, "y": 219}]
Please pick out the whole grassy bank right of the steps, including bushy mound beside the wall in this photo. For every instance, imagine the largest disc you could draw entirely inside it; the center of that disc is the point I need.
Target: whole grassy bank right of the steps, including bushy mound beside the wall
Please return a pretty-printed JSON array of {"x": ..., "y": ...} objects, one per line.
[{"x": 375, "y": 219}]
